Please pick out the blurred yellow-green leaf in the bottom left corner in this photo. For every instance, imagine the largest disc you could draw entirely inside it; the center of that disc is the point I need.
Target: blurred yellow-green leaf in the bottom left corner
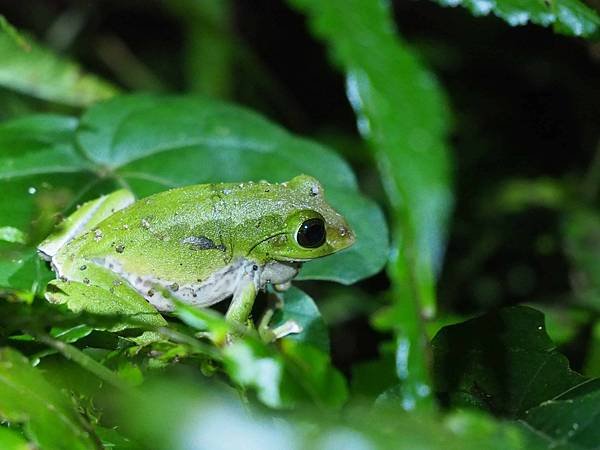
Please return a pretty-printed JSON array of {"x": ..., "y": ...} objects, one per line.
[{"x": 48, "y": 417}]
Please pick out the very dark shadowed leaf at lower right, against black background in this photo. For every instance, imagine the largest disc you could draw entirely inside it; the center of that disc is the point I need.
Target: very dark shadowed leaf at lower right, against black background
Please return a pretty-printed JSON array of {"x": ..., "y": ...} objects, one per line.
[{"x": 503, "y": 362}]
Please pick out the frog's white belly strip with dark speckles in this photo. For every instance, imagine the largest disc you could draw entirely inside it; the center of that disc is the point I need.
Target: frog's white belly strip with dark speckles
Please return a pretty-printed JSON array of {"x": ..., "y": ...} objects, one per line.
[{"x": 219, "y": 286}]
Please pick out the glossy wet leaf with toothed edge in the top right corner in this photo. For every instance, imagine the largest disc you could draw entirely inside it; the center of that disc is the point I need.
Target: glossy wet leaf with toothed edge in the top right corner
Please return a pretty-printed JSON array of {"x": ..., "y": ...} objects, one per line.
[{"x": 571, "y": 17}]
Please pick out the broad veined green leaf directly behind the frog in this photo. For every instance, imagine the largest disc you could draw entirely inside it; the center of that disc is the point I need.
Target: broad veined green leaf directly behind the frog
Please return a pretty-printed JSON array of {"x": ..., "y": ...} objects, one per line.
[{"x": 49, "y": 163}]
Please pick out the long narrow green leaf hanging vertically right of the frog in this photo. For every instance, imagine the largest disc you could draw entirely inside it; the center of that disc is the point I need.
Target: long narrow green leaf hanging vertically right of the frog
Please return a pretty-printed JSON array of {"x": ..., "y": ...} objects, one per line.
[{"x": 402, "y": 114}]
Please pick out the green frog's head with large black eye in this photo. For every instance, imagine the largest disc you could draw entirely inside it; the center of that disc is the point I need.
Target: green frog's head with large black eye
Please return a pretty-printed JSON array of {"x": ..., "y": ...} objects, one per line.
[{"x": 311, "y": 227}]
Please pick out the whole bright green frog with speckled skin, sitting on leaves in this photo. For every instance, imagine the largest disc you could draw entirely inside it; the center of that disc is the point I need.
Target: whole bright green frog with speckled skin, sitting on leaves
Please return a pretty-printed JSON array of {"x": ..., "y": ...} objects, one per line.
[{"x": 198, "y": 244}]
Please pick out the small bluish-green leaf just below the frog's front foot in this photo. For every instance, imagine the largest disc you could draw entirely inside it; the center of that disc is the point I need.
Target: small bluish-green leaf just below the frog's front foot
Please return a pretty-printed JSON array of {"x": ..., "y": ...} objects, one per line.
[{"x": 301, "y": 308}]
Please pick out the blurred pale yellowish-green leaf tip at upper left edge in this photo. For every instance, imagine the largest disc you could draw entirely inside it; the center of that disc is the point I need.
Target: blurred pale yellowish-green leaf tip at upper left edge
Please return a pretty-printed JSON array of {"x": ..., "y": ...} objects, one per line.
[{"x": 38, "y": 72}]
